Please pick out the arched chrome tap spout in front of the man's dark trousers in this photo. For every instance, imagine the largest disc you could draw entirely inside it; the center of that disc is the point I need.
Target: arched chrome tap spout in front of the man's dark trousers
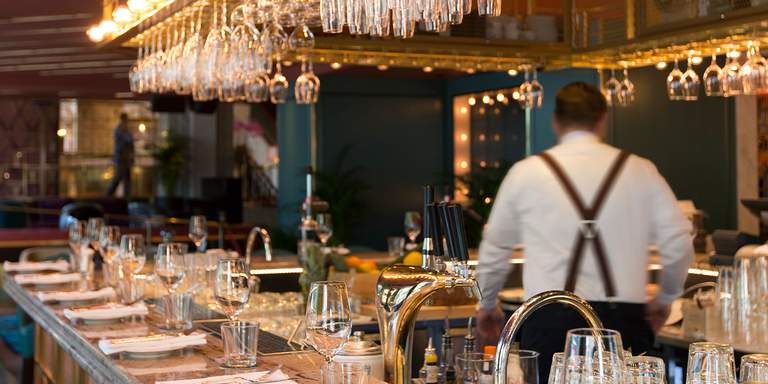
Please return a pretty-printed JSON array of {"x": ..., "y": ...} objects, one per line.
[{"x": 522, "y": 313}]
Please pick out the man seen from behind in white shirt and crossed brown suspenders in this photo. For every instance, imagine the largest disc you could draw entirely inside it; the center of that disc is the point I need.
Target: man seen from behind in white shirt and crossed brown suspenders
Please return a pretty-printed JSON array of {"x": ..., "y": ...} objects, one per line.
[{"x": 586, "y": 213}]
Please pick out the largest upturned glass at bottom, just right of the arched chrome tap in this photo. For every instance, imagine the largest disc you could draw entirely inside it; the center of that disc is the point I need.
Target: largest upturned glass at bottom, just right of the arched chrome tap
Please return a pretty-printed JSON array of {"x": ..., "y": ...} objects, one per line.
[{"x": 593, "y": 355}]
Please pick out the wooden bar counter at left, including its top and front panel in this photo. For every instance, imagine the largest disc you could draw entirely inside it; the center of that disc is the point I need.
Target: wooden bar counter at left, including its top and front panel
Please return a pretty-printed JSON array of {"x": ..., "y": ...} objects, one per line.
[{"x": 68, "y": 353}]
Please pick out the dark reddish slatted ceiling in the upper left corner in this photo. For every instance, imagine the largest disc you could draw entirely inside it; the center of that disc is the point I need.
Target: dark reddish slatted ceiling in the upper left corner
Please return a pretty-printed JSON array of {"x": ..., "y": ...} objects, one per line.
[{"x": 44, "y": 51}]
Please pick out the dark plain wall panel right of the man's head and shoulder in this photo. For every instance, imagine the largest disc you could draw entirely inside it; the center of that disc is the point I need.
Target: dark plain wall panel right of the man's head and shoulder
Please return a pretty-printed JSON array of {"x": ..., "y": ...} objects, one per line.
[{"x": 692, "y": 143}]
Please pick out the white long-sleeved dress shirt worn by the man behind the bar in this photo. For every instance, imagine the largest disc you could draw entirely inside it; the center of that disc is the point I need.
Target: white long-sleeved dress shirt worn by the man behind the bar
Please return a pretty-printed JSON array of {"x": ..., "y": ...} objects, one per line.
[{"x": 532, "y": 208}]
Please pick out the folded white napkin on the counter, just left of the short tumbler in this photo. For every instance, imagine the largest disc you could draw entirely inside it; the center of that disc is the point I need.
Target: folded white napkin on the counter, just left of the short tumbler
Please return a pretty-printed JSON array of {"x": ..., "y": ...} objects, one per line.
[{"x": 153, "y": 343}]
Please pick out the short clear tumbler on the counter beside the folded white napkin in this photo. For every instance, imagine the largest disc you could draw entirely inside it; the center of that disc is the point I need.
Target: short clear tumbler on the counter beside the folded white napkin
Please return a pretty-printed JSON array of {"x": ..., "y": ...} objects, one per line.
[{"x": 241, "y": 341}]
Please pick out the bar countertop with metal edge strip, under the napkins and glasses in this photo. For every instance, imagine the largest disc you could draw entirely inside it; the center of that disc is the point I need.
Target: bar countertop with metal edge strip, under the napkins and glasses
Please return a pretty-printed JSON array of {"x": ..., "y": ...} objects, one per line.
[{"x": 80, "y": 341}]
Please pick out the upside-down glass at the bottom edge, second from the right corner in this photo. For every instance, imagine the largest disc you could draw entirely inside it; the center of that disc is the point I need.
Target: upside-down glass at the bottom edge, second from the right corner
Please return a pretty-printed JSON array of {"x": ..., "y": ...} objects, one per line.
[{"x": 710, "y": 363}]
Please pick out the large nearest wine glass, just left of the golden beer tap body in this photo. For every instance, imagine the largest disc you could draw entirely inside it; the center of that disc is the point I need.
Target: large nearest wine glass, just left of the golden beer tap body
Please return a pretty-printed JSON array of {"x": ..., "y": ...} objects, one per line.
[{"x": 328, "y": 318}]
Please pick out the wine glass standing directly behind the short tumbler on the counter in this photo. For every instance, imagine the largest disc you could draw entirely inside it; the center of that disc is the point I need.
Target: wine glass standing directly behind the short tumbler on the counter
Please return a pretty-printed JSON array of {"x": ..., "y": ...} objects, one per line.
[{"x": 232, "y": 287}]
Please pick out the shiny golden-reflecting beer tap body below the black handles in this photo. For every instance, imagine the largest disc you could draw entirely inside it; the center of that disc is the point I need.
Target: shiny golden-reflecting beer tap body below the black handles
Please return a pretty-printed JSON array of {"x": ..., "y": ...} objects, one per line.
[{"x": 400, "y": 291}]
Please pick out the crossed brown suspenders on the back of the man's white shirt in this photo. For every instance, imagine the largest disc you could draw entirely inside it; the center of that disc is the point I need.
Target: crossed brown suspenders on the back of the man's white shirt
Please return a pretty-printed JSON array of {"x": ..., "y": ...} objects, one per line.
[{"x": 588, "y": 230}]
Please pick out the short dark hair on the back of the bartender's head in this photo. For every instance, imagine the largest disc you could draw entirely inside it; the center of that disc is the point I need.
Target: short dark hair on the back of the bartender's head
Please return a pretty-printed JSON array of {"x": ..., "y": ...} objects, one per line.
[{"x": 579, "y": 103}]
